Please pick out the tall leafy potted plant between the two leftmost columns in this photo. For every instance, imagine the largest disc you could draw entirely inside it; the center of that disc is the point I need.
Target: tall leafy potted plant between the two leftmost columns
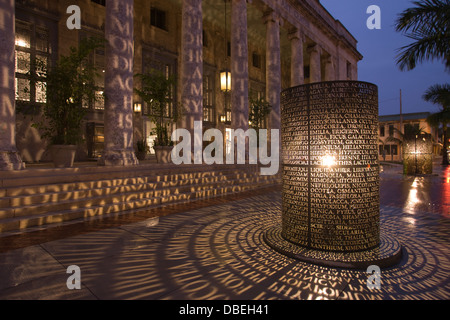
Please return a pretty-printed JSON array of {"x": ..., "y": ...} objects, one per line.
[{"x": 69, "y": 84}]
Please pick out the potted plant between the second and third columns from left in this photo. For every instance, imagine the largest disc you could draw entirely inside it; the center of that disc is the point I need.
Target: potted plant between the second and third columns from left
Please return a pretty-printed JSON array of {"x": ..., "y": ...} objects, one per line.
[{"x": 156, "y": 92}]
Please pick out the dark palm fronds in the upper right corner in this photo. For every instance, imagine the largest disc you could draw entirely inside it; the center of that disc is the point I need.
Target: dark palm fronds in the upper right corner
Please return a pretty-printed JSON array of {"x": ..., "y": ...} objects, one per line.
[{"x": 428, "y": 24}]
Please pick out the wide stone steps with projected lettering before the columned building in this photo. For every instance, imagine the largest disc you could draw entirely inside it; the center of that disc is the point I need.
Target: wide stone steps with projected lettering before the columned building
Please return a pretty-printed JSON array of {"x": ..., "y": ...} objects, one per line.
[{"x": 45, "y": 197}]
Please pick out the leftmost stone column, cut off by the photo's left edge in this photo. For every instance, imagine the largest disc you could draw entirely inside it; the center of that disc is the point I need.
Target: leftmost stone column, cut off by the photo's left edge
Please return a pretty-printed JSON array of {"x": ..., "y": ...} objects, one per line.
[{"x": 9, "y": 157}]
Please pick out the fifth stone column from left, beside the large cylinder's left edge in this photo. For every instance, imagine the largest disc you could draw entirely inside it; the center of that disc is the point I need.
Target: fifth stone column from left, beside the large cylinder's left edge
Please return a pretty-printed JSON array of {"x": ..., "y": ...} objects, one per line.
[{"x": 273, "y": 67}]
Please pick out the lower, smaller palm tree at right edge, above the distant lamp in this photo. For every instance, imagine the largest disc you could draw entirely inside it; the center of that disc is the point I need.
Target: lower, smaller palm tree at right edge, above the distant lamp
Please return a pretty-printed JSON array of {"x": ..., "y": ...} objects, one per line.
[{"x": 440, "y": 94}]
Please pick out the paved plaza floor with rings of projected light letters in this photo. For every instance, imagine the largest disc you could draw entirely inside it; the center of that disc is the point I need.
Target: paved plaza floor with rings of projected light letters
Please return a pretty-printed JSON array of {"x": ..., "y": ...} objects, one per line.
[{"x": 214, "y": 249}]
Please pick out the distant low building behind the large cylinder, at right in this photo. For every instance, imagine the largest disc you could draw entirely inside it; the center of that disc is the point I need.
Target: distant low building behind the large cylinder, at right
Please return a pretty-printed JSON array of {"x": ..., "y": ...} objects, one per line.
[{"x": 395, "y": 126}]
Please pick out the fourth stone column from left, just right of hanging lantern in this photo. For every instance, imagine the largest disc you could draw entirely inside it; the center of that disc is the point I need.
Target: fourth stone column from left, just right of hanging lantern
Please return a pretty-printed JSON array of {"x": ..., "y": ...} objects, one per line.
[{"x": 239, "y": 65}]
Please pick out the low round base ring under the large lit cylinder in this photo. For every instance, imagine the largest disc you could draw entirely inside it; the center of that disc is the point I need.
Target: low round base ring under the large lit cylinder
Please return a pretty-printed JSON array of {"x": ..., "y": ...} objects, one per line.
[{"x": 387, "y": 254}]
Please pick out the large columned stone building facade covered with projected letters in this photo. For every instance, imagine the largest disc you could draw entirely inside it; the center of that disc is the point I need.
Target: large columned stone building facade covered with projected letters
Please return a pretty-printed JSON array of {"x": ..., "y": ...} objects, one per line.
[{"x": 266, "y": 45}]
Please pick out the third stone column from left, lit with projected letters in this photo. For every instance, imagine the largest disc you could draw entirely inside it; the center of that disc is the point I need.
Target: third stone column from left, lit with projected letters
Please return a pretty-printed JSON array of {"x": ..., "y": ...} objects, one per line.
[{"x": 191, "y": 68}]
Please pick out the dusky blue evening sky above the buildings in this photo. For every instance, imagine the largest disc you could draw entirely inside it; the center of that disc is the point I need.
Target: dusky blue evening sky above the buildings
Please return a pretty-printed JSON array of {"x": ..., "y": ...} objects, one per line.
[{"x": 379, "y": 48}]
